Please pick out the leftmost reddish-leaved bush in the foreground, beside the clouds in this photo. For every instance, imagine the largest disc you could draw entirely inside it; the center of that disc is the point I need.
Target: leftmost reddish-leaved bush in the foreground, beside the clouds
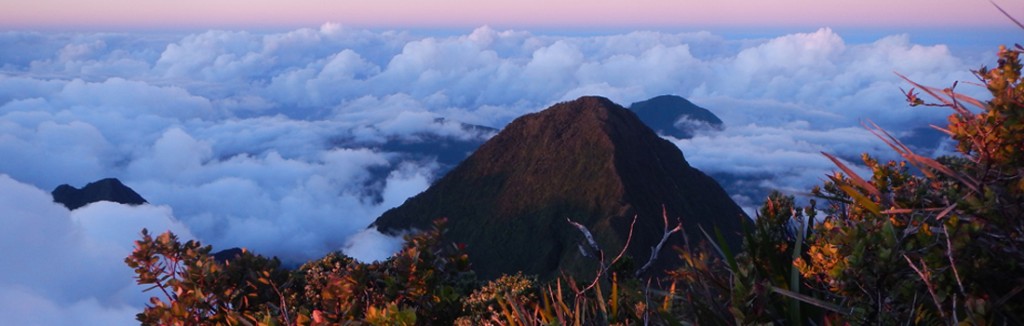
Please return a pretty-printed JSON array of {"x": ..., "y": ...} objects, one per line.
[{"x": 196, "y": 290}]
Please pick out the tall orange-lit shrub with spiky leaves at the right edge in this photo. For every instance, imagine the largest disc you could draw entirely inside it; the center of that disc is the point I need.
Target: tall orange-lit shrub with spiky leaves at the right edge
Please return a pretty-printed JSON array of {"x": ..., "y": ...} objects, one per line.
[{"x": 943, "y": 247}]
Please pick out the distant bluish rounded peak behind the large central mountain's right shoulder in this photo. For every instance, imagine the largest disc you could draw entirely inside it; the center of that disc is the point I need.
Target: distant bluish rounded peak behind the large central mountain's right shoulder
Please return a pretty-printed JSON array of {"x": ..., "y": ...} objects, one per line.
[{"x": 675, "y": 116}]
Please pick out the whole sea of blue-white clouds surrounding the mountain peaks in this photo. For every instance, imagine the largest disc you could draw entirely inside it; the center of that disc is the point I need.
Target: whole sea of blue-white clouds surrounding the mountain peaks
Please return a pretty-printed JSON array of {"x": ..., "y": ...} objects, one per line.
[{"x": 266, "y": 141}]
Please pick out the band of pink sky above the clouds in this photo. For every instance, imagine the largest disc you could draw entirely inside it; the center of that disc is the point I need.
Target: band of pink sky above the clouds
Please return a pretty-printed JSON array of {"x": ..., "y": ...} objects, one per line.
[{"x": 119, "y": 15}]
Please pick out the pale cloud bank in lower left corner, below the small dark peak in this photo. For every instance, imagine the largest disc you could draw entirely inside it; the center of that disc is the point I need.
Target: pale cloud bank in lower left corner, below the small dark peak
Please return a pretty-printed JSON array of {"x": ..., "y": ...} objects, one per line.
[{"x": 63, "y": 268}]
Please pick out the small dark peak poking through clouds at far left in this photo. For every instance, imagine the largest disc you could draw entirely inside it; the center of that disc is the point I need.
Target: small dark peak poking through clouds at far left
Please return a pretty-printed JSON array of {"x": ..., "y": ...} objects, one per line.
[{"x": 106, "y": 190}]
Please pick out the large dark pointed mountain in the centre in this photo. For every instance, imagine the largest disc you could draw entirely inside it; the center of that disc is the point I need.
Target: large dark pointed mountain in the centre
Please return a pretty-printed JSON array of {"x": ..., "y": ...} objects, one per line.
[{"x": 589, "y": 160}]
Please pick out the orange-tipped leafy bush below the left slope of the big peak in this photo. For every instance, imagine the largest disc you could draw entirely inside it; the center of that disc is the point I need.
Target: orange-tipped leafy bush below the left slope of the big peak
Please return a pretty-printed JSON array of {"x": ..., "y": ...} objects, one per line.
[{"x": 428, "y": 277}]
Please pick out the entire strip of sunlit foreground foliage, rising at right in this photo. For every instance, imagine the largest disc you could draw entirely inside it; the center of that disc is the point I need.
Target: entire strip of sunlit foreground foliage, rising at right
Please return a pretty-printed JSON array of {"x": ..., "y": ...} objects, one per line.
[{"x": 920, "y": 241}]
